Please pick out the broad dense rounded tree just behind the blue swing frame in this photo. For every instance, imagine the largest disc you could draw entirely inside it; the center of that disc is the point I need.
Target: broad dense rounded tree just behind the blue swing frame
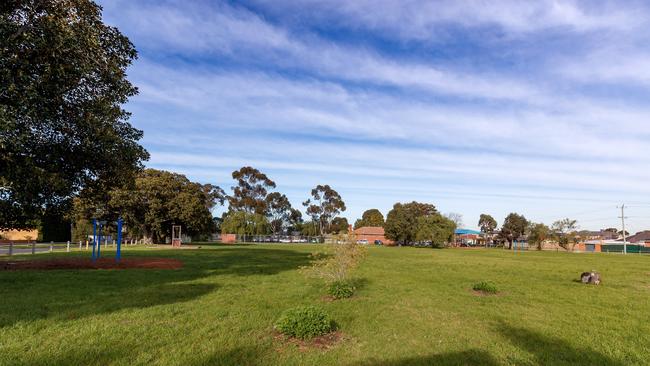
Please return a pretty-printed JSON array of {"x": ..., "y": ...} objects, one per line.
[{"x": 161, "y": 199}]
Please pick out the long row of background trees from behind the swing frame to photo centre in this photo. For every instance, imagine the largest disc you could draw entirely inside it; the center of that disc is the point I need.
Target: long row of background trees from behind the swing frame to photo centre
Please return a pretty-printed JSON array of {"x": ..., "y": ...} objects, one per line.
[{"x": 156, "y": 200}]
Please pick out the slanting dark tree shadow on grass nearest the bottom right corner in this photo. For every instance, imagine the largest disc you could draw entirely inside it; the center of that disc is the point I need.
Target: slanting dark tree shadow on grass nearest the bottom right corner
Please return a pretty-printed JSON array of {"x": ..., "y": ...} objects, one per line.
[{"x": 554, "y": 351}]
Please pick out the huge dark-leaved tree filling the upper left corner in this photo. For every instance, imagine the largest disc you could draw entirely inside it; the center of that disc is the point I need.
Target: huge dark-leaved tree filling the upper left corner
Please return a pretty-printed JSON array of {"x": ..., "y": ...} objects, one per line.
[{"x": 62, "y": 126}]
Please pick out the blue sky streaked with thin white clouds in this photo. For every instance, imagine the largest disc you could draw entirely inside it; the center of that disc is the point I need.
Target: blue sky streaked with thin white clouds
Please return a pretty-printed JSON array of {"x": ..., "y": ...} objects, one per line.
[{"x": 537, "y": 107}]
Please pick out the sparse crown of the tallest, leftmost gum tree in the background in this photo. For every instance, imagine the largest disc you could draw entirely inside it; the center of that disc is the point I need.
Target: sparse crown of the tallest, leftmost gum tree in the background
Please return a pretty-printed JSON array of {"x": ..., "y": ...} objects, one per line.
[{"x": 250, "y": 193}]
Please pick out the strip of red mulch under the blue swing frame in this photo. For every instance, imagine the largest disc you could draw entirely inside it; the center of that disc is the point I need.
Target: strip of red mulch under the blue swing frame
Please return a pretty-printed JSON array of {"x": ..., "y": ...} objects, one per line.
[{"x": 87, "y": 263}]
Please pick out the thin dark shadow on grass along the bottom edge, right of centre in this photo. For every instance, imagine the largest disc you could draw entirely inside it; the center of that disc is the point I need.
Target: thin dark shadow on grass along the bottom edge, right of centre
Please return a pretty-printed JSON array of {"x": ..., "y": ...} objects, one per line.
[{"x": 464, "y": 358}]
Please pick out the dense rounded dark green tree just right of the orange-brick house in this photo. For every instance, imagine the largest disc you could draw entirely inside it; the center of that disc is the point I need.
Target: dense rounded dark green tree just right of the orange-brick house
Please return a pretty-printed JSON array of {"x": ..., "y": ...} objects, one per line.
[{"x": 402, "y": 221}]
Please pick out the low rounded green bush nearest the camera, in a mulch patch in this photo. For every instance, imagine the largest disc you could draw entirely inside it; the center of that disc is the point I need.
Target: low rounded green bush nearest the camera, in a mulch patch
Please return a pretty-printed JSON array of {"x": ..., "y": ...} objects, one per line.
[{"x": 305, "y": 322}]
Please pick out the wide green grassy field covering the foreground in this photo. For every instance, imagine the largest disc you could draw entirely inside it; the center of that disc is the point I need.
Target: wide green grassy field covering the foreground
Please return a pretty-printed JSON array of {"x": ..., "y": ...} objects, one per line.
[{"x": 414, "y": 306}]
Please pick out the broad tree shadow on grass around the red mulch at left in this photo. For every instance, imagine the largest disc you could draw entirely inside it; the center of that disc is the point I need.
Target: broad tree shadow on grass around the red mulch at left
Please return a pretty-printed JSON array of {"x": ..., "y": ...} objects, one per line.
[{"x": 73, "y": 294}]
